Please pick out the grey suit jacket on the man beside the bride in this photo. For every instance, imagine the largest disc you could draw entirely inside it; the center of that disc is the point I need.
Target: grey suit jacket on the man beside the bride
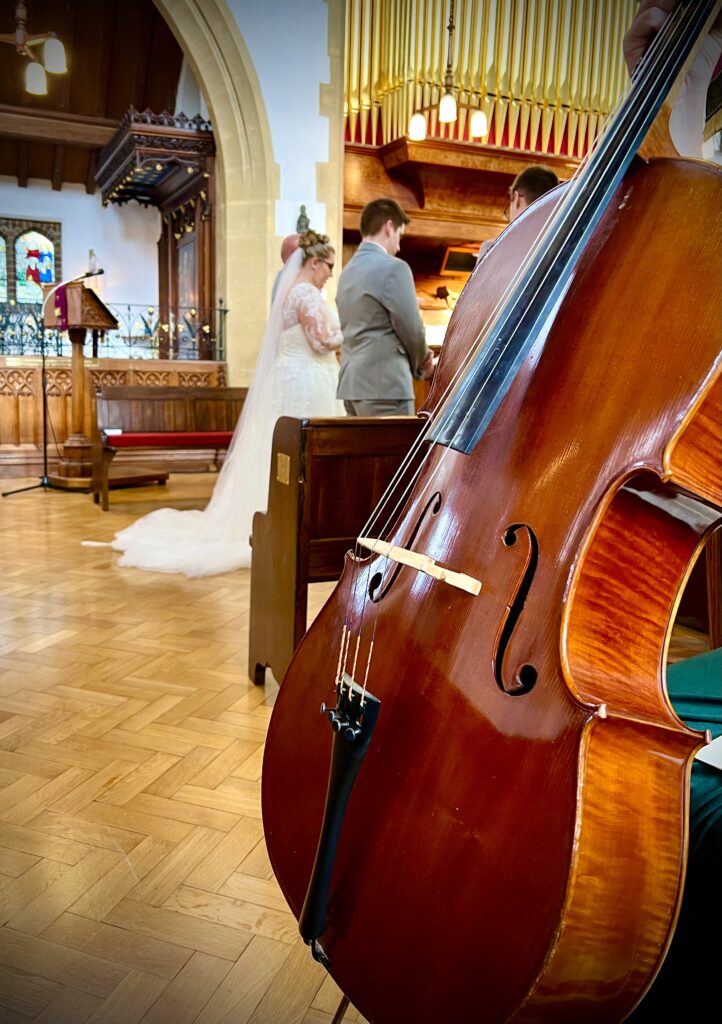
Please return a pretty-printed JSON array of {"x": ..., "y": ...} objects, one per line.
[{"x": 384, "y": 335}]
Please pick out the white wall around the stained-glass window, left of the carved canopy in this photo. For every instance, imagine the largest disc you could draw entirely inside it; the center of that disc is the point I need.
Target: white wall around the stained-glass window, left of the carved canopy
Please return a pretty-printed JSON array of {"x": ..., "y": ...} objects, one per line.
[{"x": 124, "y": 238}]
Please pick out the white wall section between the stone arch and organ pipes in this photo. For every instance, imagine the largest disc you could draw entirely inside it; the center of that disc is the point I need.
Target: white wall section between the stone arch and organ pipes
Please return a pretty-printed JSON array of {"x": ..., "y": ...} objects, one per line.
[{"x": 288, "y": 41}]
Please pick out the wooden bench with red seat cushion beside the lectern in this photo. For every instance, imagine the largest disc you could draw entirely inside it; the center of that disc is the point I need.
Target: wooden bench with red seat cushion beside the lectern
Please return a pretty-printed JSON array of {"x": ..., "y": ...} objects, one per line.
[{"x": 158, "y": 419}]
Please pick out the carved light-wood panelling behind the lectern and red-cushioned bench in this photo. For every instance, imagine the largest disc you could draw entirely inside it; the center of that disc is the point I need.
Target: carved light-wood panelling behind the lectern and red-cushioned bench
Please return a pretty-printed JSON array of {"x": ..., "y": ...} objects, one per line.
[{"x": 22, "y": 410}]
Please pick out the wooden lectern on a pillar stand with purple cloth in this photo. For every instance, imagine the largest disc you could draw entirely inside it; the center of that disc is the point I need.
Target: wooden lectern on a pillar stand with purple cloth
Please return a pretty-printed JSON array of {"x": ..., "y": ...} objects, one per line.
[{"x": 78, "y": 311}]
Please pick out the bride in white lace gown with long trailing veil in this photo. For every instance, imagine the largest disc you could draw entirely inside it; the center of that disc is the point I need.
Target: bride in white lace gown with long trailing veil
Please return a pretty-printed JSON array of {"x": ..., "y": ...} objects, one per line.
[{"x": 296, "y": 374}]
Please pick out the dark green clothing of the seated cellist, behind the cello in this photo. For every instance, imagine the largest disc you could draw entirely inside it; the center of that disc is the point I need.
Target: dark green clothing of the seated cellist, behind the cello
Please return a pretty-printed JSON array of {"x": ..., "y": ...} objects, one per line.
[{"x": 688, "y": 988}]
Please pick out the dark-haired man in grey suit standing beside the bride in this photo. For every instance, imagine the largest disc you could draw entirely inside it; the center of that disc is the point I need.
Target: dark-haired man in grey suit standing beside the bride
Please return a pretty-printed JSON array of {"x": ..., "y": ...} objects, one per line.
[{"x": 385, "y": 345}]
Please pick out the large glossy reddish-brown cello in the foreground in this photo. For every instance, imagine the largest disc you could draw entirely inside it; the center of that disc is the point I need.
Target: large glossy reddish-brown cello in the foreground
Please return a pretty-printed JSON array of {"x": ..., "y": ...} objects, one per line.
[{"x": 488, "y": 822}]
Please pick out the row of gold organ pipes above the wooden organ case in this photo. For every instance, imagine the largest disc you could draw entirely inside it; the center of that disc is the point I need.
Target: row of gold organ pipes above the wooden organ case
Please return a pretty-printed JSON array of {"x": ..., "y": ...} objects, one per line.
[{"x": 547, "y": 73}]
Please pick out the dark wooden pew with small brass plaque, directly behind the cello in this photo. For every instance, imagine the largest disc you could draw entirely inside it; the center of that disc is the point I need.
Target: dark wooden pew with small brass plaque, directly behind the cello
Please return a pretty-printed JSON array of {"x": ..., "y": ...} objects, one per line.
[{"x": 327, "y": 477}]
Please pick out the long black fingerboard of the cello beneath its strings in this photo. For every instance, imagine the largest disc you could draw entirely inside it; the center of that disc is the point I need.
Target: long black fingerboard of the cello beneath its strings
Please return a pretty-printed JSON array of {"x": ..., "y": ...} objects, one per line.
[{"x": 470, "y": 408}]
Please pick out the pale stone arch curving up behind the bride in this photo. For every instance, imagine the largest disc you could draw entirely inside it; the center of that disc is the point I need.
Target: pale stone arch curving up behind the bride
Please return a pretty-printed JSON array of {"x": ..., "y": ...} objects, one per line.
[{"x": 247, "y": 178}]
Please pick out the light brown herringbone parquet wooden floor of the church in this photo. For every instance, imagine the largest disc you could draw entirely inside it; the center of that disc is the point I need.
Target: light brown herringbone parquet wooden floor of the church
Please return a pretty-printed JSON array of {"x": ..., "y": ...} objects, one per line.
[{"x": 135, "y": 884}]
